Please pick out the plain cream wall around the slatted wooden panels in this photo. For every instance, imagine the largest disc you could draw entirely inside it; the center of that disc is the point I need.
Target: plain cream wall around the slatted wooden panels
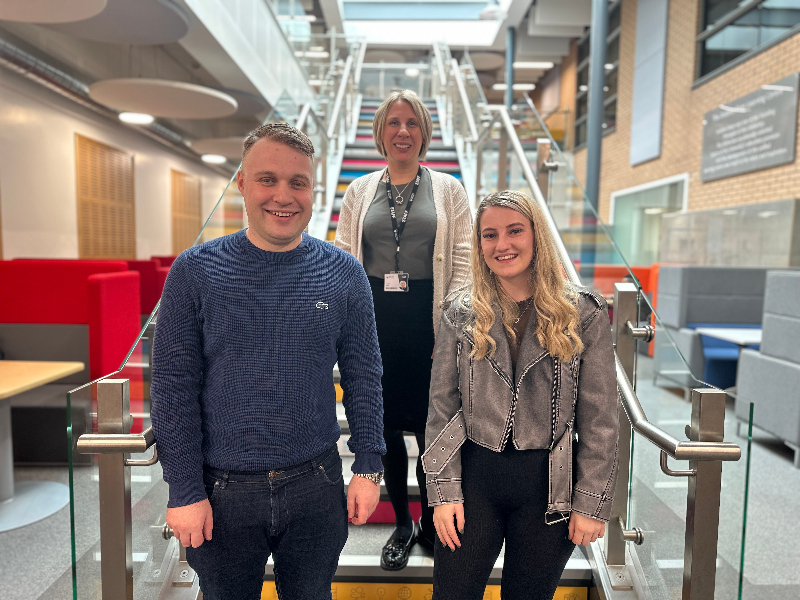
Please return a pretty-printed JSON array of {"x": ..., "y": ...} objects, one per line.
[{"x": 37, "y": 174}]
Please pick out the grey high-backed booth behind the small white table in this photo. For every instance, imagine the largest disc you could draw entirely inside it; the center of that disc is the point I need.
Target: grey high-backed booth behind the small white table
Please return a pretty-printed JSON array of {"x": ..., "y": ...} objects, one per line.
[{"x": 691, "y": 296}]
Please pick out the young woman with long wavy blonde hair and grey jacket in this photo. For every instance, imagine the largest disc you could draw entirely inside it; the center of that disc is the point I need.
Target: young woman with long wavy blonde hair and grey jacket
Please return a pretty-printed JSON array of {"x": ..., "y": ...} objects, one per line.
[{"x": 522, "y": 426}]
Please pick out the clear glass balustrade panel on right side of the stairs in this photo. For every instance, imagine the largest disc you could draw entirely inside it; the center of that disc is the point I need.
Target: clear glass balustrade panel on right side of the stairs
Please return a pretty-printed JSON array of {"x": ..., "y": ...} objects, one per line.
[{"x": 657, "y": 502}]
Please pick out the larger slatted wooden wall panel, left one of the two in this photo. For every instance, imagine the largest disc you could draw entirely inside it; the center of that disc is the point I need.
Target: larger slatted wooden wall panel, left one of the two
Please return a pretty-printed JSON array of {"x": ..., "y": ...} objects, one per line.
[{"x": 104, "y": 175}]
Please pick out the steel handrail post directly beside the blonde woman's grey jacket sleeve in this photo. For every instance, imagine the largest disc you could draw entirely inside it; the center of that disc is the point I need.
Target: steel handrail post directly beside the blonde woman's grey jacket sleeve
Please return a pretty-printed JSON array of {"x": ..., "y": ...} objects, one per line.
[{"x": 626, "y": 298}]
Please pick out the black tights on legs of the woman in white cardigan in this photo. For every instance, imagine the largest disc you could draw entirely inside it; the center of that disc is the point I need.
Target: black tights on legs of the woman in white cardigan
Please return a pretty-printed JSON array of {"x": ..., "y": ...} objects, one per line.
[{"x": 395, "y": 464}]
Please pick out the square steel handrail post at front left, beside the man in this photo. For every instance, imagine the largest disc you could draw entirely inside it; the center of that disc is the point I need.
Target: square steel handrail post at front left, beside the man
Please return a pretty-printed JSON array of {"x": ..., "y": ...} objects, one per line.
[{"x": 116, "y": 545}]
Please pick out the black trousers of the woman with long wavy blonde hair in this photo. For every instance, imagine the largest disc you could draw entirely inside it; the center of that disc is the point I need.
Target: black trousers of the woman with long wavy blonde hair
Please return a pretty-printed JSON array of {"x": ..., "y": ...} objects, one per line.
[{"x": 505, "y": 498}]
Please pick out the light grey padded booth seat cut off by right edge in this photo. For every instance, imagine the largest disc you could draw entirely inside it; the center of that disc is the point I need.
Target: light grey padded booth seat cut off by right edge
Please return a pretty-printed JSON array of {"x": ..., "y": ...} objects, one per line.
[{"x": 770, "y": 377}]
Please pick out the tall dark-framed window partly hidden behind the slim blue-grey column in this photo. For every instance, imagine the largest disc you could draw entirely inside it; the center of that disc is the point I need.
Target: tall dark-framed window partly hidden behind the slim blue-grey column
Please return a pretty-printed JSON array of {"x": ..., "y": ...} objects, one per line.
[{"x": 610, "y": 84}]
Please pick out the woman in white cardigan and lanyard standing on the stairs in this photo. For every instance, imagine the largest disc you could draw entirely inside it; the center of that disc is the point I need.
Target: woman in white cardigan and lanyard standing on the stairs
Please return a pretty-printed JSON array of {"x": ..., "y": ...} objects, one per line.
[{"x": 414, "y": 260}]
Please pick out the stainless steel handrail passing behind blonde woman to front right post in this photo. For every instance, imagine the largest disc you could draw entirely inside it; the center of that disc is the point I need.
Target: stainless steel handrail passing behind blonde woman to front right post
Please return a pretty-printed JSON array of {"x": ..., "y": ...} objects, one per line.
[{"x": 680, "y": 450}]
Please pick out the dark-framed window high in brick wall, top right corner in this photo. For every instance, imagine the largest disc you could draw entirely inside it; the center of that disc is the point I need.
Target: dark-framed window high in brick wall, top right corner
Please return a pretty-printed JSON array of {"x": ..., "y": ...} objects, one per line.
[{"x": 731, "y": 28}]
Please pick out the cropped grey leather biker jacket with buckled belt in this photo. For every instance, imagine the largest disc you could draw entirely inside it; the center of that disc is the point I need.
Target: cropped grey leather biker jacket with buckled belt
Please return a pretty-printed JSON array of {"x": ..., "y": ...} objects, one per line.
[{"x": 570, "y": 408}]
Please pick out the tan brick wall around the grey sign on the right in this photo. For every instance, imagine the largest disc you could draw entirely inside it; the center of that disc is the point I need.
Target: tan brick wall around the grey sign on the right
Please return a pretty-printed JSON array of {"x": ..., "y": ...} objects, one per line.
[{"x": 684, "y": 107}]
